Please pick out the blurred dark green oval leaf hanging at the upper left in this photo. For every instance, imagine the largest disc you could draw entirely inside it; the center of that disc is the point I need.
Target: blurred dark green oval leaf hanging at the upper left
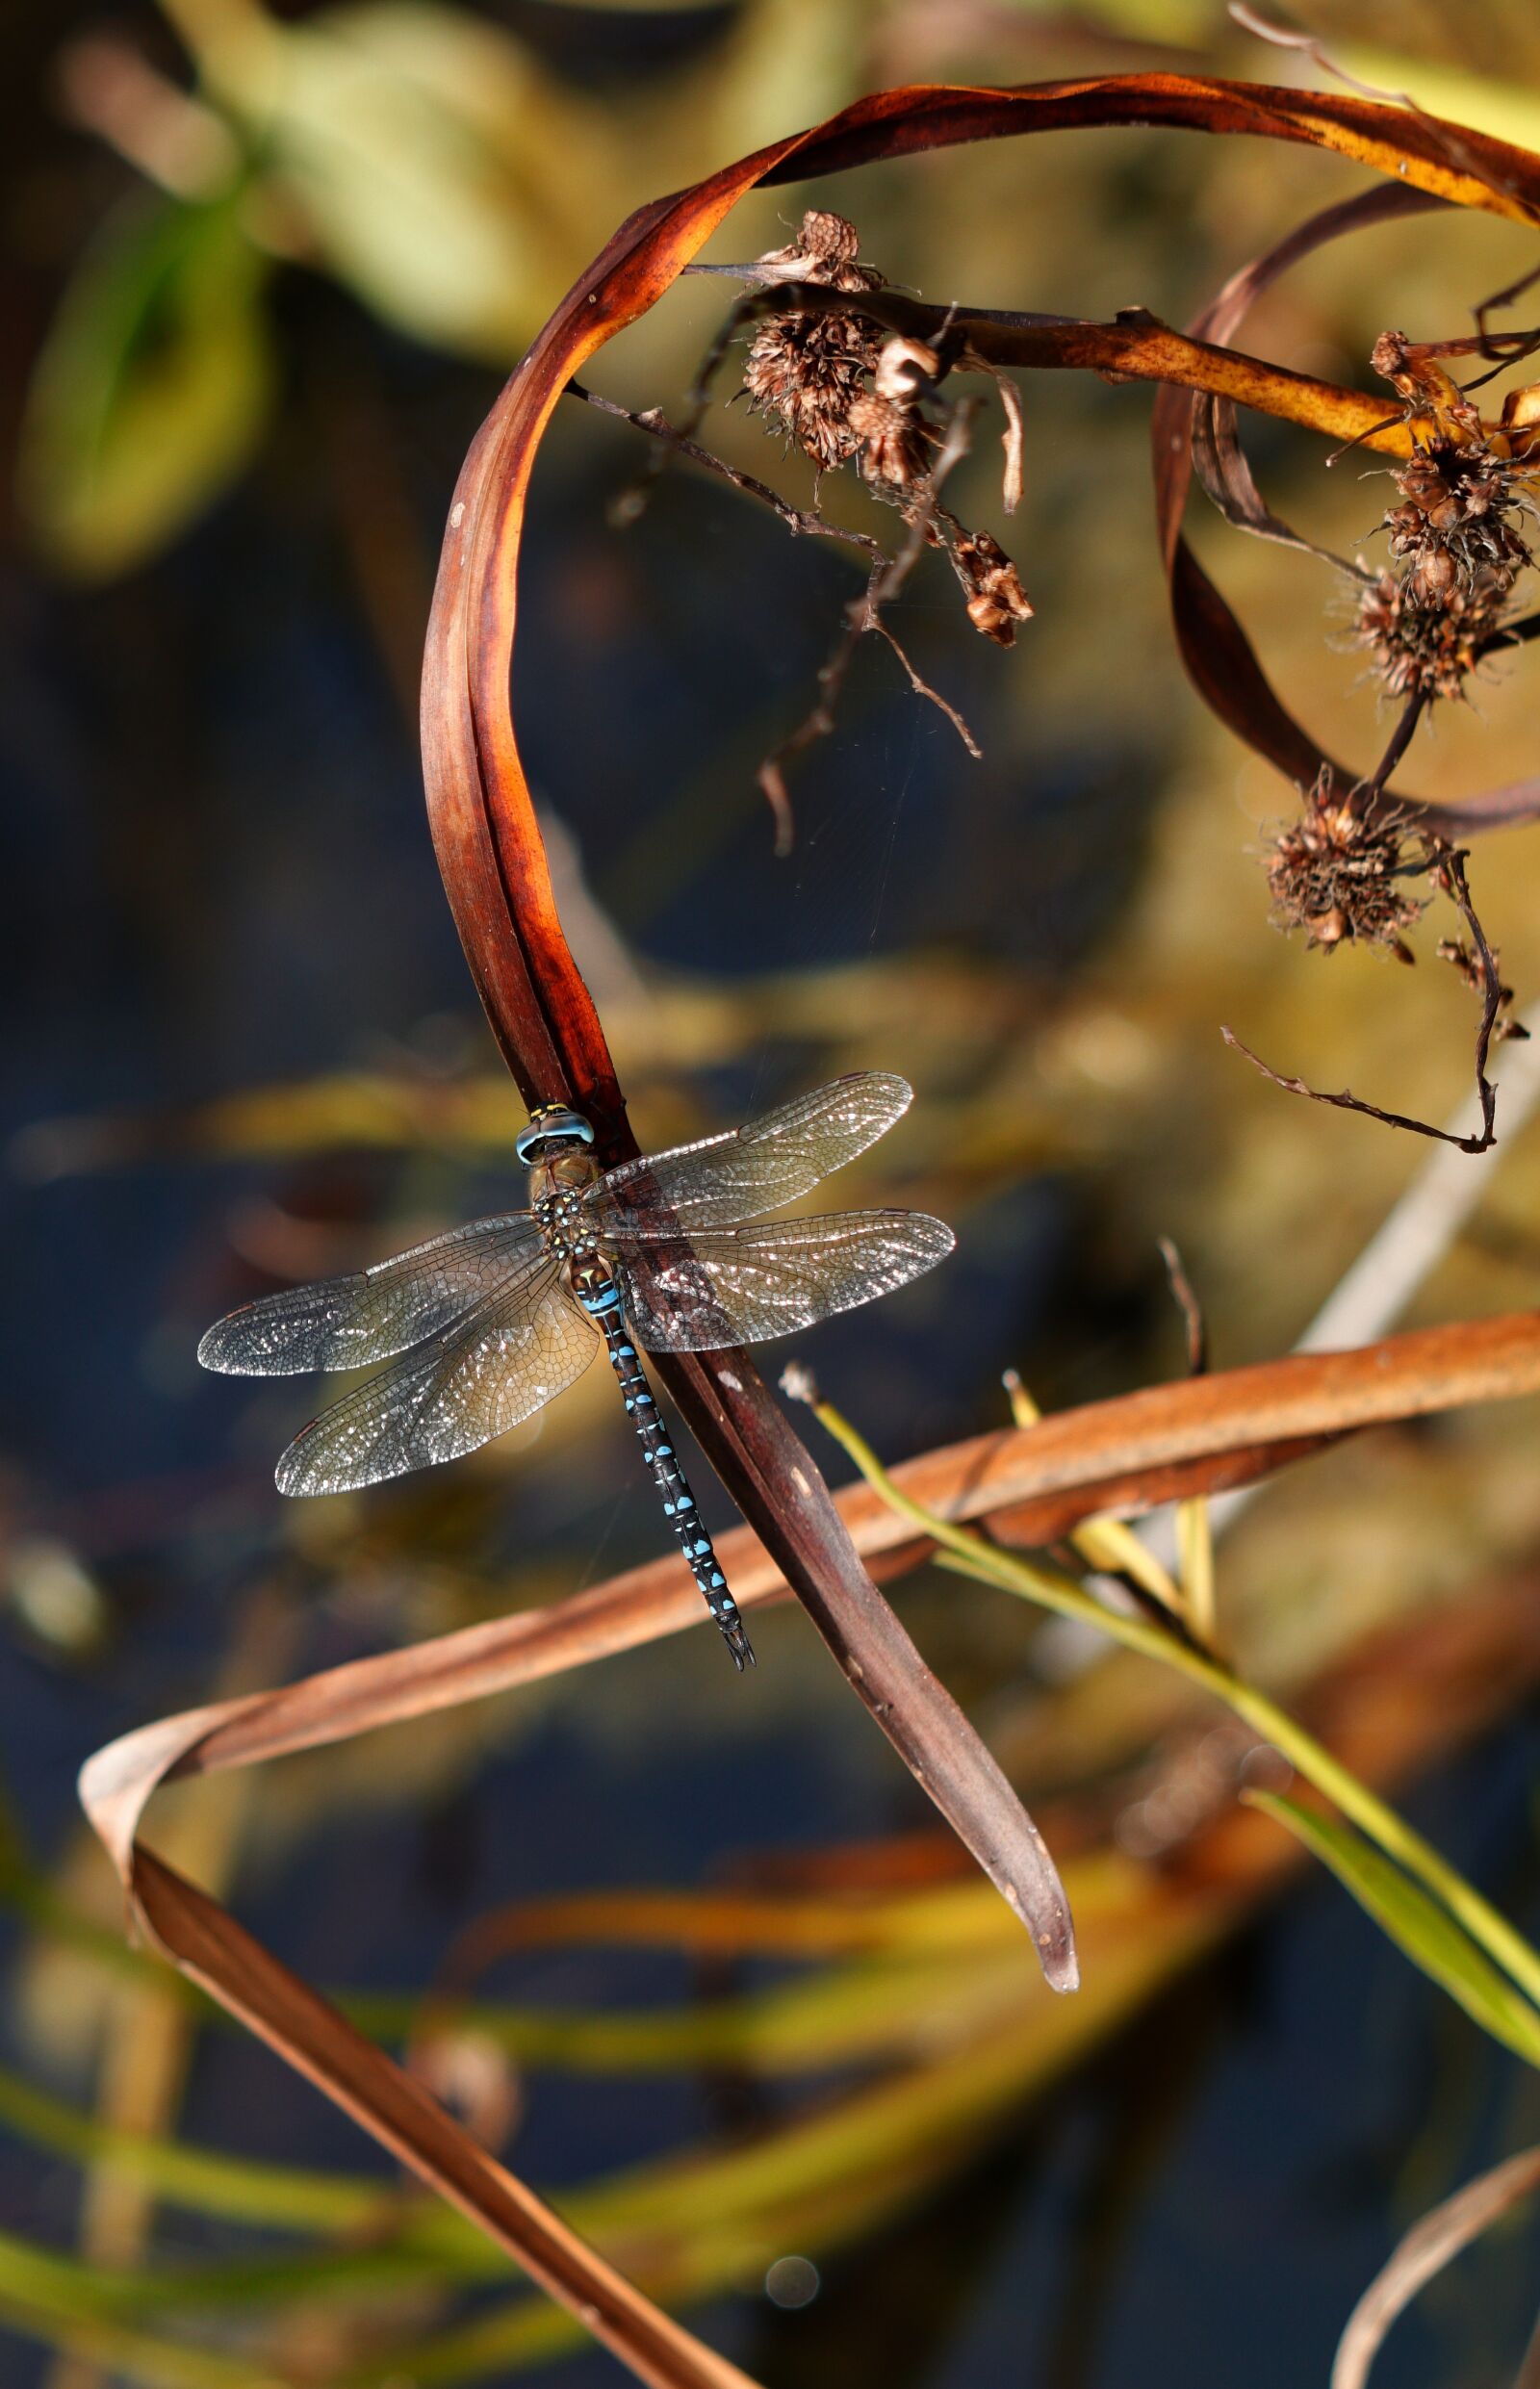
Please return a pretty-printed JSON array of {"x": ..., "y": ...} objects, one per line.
[{"x": 152, "y": 391}]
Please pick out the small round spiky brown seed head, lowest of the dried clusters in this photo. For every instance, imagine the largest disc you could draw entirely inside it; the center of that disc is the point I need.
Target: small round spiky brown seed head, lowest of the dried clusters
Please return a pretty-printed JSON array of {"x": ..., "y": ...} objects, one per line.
[{"x": 1338, "y": 873}]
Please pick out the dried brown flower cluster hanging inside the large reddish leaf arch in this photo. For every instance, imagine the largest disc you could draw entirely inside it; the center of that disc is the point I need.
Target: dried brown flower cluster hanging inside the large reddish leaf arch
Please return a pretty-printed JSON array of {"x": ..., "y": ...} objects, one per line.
[{"x": 842, "y": 393}]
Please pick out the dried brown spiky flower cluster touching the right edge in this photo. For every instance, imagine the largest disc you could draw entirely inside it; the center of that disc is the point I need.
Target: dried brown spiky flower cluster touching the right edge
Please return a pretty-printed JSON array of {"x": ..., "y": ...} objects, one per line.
[{"x": 1453, "y": 534}]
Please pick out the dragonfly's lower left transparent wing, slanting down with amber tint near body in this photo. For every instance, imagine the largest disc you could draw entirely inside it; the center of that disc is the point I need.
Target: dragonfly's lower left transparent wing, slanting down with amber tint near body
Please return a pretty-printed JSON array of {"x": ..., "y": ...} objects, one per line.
[{"x": 472, "y": 1384}]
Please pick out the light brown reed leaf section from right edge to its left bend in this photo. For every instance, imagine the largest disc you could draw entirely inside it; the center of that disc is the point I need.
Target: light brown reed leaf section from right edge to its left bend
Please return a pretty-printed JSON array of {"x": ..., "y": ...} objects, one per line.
[{"x": 1123, "y": 1456}]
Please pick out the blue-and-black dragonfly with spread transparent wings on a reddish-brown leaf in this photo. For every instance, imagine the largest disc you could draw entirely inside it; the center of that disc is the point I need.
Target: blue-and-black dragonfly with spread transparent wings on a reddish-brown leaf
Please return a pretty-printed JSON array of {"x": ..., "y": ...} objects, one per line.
[{"x": 672, "y": 1253}]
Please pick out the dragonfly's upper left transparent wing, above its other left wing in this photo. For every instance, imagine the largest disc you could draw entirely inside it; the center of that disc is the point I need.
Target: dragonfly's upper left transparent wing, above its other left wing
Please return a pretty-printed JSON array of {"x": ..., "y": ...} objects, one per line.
[{"x": 347, "y": 1322}]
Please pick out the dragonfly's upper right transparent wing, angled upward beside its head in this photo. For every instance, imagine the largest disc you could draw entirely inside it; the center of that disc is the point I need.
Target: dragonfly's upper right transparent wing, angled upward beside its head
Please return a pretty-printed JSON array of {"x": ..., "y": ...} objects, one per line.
[{"x": 751, "y": 1169}]
